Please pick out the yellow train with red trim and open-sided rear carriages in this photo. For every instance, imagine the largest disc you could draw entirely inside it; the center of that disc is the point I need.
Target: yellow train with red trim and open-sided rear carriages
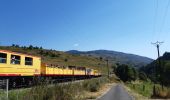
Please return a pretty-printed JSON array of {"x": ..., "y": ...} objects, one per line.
[{"x": 22, "y": 69}]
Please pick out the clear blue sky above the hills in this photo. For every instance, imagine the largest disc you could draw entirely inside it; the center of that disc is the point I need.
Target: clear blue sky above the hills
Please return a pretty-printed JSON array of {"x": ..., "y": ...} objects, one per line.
[{"x": 121, "y": 25}]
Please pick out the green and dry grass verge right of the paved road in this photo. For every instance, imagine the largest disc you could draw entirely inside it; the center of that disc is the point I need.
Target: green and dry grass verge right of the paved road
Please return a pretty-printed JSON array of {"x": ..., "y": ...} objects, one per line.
[{"x": 144, "y": 91}]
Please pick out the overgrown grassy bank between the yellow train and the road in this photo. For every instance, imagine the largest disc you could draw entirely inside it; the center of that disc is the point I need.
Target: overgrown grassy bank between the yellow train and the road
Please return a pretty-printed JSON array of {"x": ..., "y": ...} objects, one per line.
[{"x": 83, "y": 90}]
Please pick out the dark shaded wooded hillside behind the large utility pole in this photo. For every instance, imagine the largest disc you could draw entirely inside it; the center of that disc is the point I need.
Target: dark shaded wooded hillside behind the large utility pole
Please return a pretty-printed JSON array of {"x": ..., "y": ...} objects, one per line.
[{"x": 159, "y": 72}]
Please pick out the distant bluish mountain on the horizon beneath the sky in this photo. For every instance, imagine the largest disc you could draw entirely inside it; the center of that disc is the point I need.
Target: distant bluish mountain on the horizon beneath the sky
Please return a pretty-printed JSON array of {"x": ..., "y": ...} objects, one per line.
[{"x": 115, "y": 57}]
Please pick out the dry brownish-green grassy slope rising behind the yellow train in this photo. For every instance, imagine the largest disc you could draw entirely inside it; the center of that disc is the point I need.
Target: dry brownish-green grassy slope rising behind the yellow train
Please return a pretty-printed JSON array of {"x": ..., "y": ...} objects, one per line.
[{"x": 60, "y": 57}]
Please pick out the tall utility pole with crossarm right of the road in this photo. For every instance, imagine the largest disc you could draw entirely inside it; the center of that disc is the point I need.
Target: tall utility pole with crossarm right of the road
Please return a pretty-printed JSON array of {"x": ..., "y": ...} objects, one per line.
[{"x": 157, "y": 44}]
